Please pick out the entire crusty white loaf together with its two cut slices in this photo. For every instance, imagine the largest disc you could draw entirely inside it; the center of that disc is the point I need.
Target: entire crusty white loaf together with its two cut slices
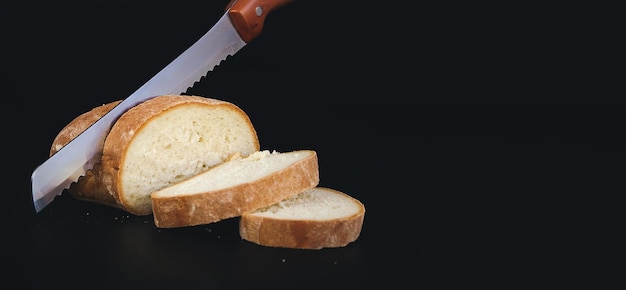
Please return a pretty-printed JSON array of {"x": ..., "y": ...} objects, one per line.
[{"x": 191, "y": 160}]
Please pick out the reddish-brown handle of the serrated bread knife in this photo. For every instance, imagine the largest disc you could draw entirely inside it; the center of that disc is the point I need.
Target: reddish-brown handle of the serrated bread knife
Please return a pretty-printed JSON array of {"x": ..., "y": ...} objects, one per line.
[{"x": 248, "y": 16}]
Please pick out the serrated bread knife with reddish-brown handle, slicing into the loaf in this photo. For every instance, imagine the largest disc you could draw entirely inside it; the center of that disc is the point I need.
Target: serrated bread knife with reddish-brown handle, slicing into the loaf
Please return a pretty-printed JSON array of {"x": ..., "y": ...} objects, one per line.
[{"x": 241, "y": 22}]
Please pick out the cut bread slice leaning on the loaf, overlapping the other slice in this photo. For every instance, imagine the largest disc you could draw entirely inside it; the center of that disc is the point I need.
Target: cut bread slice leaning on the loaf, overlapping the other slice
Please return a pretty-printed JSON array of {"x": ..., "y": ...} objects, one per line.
[{"x": 235, "y": 187}]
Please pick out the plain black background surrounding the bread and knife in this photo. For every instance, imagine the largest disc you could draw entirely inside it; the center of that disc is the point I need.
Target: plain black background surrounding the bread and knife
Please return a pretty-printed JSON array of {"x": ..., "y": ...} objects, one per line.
[{"x": 485, "y": 140}]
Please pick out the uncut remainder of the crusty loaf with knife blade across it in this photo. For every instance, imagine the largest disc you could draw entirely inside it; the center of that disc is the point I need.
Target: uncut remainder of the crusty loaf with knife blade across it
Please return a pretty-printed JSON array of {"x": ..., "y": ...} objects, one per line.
[{"x": 157, "y": 143}]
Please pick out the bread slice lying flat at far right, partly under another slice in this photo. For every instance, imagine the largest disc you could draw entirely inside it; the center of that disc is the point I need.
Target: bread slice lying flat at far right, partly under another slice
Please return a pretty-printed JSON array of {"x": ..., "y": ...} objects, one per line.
[{"x": 316, "y": 218}]
